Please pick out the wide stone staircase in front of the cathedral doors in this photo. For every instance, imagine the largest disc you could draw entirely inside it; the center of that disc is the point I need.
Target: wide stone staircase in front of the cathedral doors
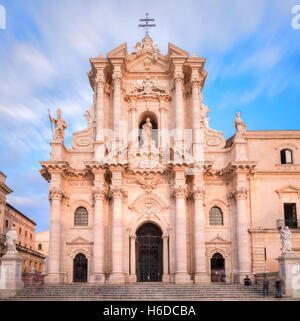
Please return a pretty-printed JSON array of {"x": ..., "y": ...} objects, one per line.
[{"x": 142, "y": 291}]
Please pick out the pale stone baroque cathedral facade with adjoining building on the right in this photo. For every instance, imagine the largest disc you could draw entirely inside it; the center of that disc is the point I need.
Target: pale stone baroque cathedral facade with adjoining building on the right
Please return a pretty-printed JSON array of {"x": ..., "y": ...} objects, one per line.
[{"x": 148, "y": 192}]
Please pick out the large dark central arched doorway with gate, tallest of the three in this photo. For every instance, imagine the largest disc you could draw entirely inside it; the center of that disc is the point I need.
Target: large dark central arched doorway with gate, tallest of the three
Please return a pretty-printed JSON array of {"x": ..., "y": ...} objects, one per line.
[{"x": 149, "y": 253}]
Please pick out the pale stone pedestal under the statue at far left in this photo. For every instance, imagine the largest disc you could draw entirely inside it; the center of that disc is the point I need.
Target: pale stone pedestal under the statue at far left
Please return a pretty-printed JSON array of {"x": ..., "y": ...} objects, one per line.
[{"x": 11, "y": 275}]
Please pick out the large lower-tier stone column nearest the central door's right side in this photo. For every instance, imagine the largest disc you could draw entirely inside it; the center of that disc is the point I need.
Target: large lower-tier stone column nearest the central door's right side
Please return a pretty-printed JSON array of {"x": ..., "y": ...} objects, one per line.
[{"x": 181, "y": 277}]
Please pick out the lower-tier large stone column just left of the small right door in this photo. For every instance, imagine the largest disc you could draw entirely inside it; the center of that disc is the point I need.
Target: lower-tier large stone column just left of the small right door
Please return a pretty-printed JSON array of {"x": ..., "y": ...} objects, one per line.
[{"x": 201, "y": 275}]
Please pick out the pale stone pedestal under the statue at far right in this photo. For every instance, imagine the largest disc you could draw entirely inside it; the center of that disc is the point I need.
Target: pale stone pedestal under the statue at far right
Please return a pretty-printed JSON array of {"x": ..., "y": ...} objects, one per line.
[{"x": 289, "y": 271}]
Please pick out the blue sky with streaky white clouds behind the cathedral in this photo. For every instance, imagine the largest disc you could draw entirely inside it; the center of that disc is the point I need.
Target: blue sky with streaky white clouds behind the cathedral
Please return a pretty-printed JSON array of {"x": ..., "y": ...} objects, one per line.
[{"x": 253, "y": 65}]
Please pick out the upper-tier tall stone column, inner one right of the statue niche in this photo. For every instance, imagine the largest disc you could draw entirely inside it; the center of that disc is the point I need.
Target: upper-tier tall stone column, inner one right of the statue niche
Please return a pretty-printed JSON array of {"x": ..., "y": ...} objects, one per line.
[{"x": 179, "y": 122}]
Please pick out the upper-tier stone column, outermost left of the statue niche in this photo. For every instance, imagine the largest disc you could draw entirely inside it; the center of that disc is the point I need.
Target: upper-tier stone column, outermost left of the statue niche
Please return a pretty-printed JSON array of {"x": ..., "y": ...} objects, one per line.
[{"x": 99, "y": 144}]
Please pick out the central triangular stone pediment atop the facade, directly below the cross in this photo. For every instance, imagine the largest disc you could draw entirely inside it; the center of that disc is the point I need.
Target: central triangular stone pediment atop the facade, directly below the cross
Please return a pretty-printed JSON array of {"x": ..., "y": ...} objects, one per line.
[{"x": 145, "y": 62}]
